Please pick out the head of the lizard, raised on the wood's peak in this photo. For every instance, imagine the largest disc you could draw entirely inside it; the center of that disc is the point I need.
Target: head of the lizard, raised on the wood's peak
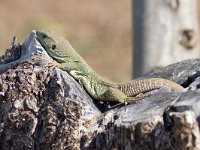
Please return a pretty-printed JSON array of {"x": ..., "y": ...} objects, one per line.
[{"x": 54, "y": 45}]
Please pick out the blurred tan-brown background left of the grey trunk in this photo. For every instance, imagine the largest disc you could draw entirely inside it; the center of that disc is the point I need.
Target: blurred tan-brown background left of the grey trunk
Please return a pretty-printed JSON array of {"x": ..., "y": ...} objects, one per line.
[{"x": 100, "y": 31}]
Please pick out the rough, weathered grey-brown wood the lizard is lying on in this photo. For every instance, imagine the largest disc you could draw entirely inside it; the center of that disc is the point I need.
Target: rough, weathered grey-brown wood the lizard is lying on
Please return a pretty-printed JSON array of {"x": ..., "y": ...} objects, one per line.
[{"x": 45, "y": 108}]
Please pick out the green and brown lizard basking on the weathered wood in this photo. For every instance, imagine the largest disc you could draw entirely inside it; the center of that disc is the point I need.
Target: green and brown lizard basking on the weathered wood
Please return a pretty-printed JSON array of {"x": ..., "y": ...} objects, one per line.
[{"x": 66, "y": 58}]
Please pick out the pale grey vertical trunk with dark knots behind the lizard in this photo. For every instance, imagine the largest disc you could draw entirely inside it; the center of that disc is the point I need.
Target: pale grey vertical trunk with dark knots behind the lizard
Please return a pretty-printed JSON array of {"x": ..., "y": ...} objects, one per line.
[{"x": 165, "y": 31}]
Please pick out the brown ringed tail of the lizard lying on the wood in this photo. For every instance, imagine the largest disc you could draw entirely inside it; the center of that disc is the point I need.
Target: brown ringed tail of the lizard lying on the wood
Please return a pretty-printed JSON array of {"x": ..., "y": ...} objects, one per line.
[{"x": 141, "y": 86}]
